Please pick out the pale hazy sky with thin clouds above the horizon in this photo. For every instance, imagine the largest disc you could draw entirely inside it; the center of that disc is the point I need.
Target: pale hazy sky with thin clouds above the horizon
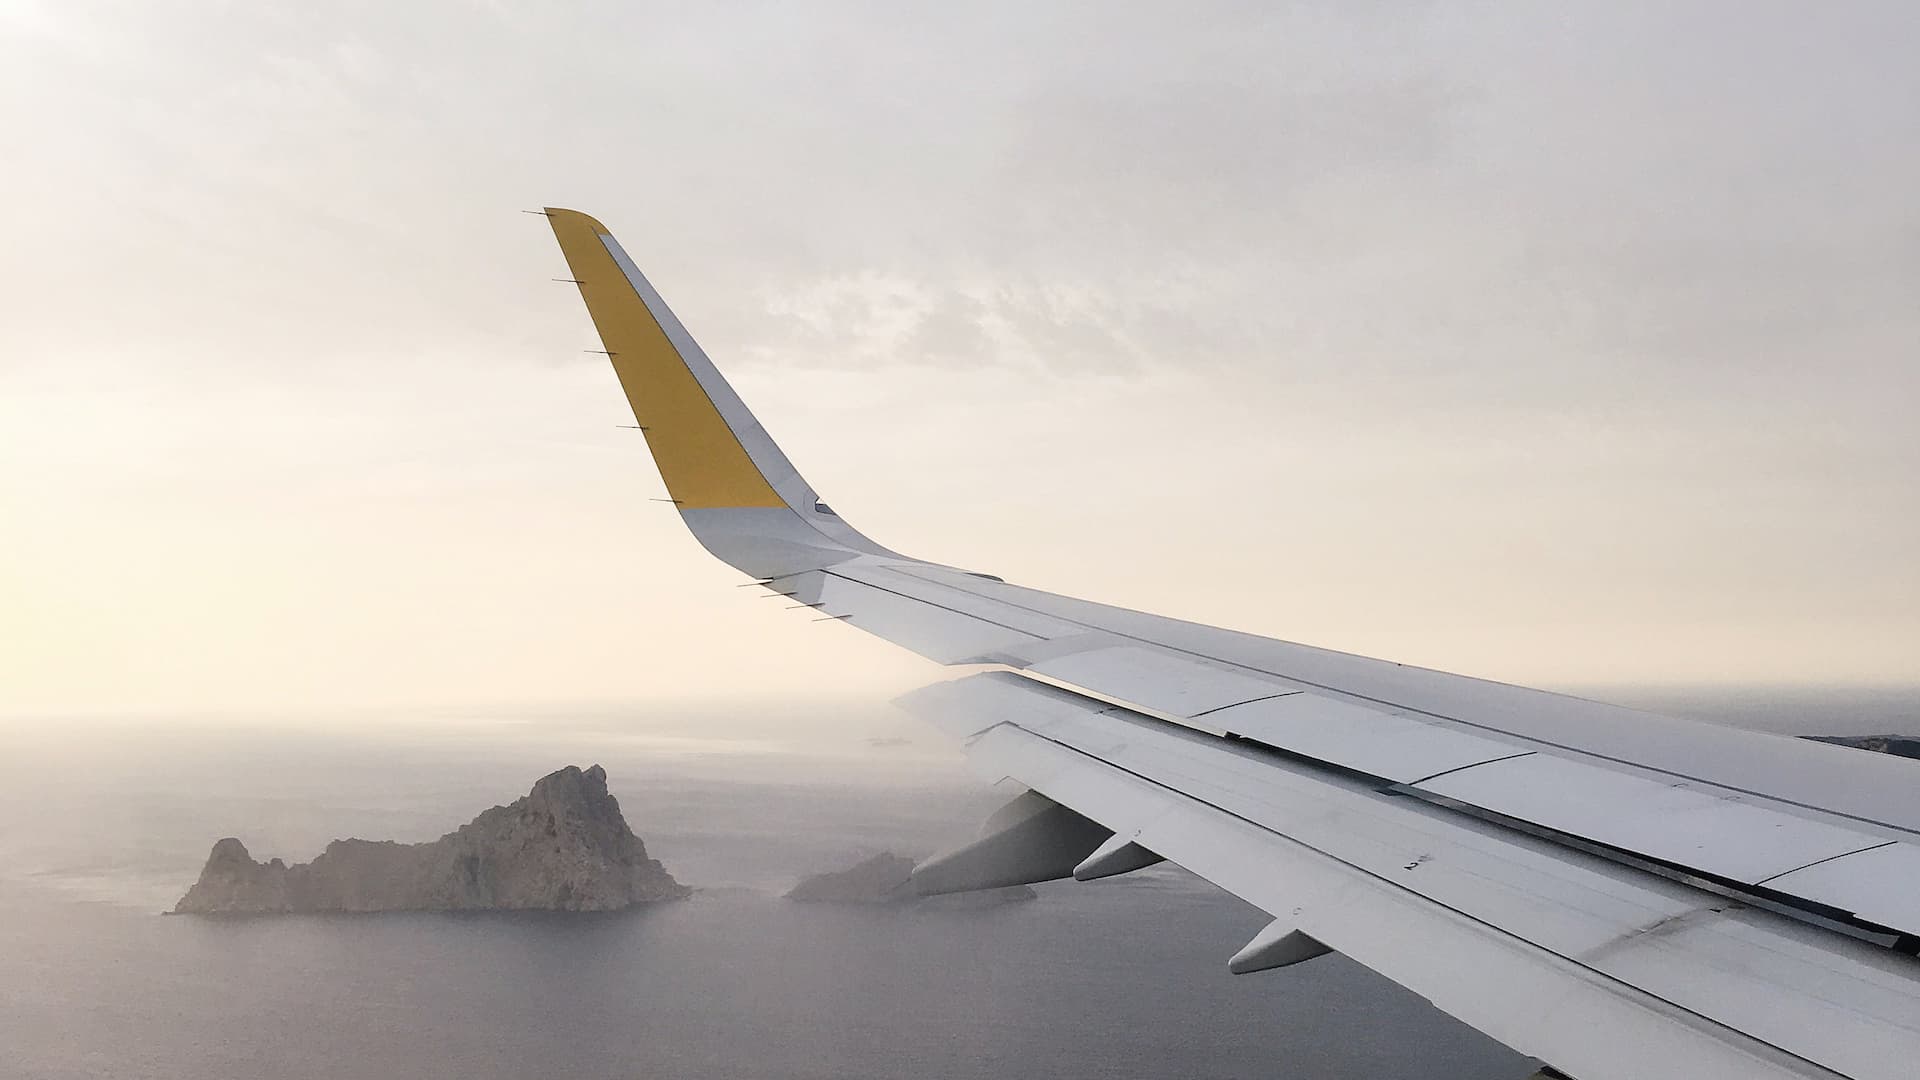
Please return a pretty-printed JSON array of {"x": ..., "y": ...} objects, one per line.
[{"x": 1556, "y": 343}]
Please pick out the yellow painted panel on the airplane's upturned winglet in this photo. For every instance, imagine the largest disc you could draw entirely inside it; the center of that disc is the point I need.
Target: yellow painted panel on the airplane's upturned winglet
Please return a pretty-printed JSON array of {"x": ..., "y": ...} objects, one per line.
[{"x": 700, "y": 458}]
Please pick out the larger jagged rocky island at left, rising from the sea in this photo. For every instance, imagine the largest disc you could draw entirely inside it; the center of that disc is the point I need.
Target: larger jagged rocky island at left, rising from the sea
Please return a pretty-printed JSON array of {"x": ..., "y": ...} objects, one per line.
[{"x": 562, "y": 848}]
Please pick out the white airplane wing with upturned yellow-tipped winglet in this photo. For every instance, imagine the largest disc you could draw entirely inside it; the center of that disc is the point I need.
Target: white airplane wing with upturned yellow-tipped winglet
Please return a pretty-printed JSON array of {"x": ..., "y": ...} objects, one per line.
[{"x": 1614, "y": 893}]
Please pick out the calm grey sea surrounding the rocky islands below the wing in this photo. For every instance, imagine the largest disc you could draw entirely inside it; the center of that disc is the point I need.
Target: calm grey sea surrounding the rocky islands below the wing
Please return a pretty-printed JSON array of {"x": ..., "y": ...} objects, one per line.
[{"x": 105, "y": 822}]
